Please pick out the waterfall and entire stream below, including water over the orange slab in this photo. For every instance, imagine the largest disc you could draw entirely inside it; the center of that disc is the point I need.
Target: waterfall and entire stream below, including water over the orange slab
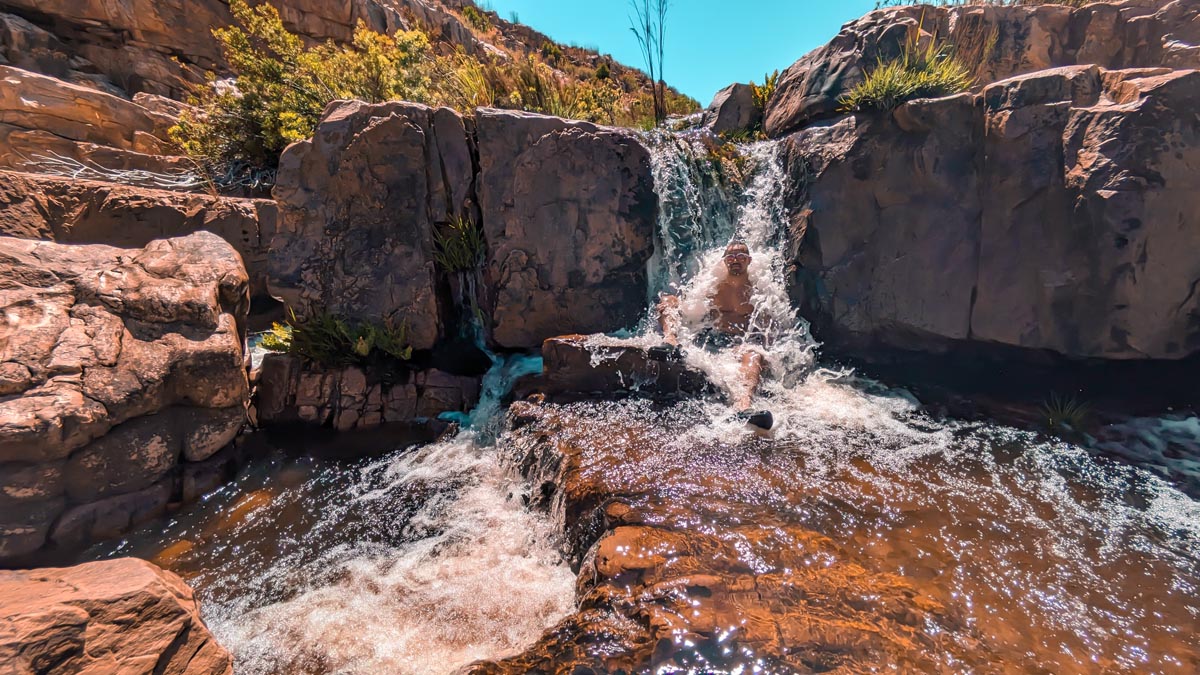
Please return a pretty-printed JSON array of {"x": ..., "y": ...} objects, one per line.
[{"x": 866, "y": 535}]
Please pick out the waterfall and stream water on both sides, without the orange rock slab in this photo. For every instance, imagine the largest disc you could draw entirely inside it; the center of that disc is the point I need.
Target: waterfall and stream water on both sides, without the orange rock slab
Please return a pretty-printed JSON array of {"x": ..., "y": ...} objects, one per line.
[{"x": 1048, "y": 558}]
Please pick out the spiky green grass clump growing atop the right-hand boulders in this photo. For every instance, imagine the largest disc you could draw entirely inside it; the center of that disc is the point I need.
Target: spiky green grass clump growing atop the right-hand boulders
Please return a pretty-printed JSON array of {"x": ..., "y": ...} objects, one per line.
[{"x": 920, "y": 73}]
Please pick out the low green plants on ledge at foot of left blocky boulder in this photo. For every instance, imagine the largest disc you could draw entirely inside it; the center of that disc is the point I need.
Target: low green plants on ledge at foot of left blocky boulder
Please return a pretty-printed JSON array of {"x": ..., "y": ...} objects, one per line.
[{"x": 327, "y": 341}]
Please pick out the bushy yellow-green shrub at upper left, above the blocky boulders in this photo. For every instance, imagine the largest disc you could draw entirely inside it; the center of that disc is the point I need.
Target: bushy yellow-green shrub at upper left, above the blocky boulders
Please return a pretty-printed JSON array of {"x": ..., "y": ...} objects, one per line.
[{"x": 283, "y": 87}]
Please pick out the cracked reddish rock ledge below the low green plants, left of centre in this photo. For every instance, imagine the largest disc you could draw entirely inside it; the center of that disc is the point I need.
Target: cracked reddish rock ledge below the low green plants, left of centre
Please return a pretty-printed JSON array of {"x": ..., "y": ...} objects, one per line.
[{"x": 347, "y": 399}]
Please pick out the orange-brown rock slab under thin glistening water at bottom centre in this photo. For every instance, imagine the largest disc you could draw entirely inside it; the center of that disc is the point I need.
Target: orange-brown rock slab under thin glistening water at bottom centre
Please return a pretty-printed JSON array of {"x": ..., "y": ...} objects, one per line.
[{"x": 715, "y": 571}]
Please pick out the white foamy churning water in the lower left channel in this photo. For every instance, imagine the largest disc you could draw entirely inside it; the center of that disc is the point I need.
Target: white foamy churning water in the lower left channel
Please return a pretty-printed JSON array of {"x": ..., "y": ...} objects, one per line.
[{"x": 479, "y": 578}]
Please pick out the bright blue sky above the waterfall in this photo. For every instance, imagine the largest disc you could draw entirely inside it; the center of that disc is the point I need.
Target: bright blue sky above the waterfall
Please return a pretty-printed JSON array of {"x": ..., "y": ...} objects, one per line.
[{"x": 711, "y": 44}]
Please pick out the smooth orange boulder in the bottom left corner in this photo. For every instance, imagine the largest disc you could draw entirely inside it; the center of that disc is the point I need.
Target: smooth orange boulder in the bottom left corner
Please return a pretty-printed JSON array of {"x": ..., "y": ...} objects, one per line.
[{"x": 116, "y": 617}]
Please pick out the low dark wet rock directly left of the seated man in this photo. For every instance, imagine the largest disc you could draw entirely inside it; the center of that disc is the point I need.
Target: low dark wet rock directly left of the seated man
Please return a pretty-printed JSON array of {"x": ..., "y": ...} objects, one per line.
[{"x": 579, "y": 366}]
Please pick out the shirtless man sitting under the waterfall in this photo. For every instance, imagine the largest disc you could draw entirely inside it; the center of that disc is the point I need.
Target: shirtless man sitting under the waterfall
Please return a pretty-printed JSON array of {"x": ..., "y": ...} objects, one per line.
[{"x": 729, "y": 326}]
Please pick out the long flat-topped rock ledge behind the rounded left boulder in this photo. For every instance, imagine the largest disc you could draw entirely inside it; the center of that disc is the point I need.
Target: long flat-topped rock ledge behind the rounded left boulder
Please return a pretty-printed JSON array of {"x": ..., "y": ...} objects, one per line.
[{"x": 83, "y": 212}]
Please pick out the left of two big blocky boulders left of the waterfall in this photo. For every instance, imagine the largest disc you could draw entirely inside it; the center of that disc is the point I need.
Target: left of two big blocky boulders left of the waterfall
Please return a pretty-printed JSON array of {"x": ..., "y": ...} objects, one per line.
[{"x": 358, "y": 207}]
